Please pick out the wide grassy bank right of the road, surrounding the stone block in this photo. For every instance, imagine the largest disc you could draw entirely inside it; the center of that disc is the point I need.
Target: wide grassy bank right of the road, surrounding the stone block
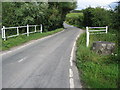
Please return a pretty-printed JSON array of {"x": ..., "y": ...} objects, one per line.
[{"x": 97, "y": 71}]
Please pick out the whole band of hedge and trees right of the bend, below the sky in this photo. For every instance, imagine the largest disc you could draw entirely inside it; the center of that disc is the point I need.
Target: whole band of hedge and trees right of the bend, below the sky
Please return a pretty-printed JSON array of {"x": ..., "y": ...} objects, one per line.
[{"x": 95, "y": 17}]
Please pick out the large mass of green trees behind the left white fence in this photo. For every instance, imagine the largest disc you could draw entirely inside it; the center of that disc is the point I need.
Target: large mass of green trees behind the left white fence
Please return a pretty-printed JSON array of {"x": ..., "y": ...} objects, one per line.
[{"x": 50, "y": 14}]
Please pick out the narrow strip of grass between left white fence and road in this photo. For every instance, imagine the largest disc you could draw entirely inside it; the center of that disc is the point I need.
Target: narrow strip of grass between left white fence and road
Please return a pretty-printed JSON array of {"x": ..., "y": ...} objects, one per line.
[{"x": 15, "y": 41}]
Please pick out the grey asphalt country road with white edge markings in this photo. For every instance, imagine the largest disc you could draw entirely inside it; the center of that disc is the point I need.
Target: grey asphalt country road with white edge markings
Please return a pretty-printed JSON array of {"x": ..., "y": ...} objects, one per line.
[{"x": 43, "y": 64}]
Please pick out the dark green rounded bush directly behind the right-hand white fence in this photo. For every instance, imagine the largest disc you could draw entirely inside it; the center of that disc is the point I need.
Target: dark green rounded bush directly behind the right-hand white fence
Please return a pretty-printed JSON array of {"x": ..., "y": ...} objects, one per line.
[{"x": 96, "y": 17}]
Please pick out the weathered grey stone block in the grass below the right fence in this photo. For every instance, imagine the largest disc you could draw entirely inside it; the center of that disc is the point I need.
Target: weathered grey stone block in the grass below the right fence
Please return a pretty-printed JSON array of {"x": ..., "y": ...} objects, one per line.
[{"x": 103, "y": 47}]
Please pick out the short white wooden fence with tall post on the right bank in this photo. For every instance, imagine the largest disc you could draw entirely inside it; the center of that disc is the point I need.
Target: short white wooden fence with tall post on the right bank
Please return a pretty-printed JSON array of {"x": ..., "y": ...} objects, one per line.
[{"x": 88, "y": 32}]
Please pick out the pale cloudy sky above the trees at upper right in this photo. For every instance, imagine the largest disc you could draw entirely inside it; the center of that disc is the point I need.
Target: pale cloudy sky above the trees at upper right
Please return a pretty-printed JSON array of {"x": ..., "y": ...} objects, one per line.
[{"x": 82, "y": 4}]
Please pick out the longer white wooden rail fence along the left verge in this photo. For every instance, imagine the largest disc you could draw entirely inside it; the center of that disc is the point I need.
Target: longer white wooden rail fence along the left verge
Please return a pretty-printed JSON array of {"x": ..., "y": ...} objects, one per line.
[{"x": 4, "y": 37}]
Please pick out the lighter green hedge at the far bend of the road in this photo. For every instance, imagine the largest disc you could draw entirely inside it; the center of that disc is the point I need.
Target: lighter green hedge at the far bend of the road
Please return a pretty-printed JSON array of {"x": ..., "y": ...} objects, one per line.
[{"x": 75, "y": 19}]
